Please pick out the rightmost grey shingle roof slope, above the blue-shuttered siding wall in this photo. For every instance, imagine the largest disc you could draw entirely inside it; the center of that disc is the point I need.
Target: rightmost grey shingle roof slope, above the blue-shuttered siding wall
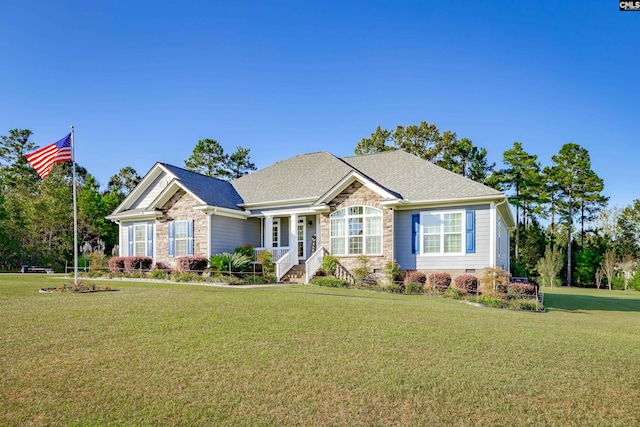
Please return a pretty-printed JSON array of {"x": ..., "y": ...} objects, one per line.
[{"x": 416, "y": 179}]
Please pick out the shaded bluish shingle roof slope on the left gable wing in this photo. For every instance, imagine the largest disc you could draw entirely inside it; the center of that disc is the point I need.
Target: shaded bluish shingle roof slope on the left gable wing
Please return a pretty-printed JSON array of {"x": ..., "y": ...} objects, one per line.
[{"x": 213, "y": 191}]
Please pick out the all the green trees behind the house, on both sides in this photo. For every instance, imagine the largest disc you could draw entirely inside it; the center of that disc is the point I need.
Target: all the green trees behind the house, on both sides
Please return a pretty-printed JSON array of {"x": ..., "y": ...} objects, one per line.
[{"x": 36, "y": 217}]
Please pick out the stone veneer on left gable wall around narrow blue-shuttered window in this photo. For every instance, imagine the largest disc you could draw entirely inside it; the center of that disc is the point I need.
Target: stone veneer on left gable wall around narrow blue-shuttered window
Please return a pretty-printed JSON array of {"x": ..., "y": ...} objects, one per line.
[{"x": 180, "y": 208}]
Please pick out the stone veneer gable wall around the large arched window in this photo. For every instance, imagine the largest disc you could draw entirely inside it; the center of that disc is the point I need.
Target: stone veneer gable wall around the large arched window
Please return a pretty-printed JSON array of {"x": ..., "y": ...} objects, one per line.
[{"x": 357, "y": 194}]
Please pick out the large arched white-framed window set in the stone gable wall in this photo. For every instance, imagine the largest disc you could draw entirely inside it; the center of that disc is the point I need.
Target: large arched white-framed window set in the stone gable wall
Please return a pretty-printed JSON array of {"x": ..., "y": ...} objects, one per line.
[{"x": 356, "y": 230}]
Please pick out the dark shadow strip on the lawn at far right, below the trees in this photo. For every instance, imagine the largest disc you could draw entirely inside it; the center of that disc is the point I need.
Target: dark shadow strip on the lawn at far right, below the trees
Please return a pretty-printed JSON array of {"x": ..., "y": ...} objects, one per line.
[{"x": 583, "y": 303}]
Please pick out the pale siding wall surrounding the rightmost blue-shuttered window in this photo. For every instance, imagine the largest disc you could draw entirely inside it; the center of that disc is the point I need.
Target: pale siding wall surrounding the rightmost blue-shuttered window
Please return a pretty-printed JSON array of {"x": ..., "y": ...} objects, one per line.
[{"x": 409, "y": 261}]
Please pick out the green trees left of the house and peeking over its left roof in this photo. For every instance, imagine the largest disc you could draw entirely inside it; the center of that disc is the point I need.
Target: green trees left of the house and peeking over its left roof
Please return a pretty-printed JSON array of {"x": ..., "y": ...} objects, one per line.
[{"x": 36, "y": 215}]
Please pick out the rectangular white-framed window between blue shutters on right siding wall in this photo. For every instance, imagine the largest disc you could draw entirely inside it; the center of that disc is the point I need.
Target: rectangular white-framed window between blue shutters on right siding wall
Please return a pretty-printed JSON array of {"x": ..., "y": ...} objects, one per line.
[{"x": 442, "y": 233}]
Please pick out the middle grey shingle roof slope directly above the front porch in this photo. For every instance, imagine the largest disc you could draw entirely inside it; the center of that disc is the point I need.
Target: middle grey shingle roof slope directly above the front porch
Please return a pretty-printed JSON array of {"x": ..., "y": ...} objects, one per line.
[{"x": 300, "y": 177}]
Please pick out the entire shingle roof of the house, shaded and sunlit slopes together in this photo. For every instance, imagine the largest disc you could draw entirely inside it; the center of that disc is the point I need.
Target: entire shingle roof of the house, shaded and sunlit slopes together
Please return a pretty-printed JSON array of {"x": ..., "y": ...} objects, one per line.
[{"x": 309, "y": 176}]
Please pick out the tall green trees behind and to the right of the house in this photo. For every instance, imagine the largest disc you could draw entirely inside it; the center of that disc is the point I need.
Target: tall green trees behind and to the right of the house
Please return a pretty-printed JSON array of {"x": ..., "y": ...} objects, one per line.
[{"x": 583, "y": 240}]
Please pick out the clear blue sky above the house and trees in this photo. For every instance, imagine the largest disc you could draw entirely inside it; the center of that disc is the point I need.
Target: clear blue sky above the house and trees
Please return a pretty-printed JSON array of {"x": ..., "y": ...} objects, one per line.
[{"x": 143, "y": 81}]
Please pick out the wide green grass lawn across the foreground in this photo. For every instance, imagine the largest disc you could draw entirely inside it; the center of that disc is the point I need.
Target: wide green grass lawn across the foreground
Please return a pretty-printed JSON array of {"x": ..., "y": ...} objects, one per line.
[{"x": 179, "y": 354}]
